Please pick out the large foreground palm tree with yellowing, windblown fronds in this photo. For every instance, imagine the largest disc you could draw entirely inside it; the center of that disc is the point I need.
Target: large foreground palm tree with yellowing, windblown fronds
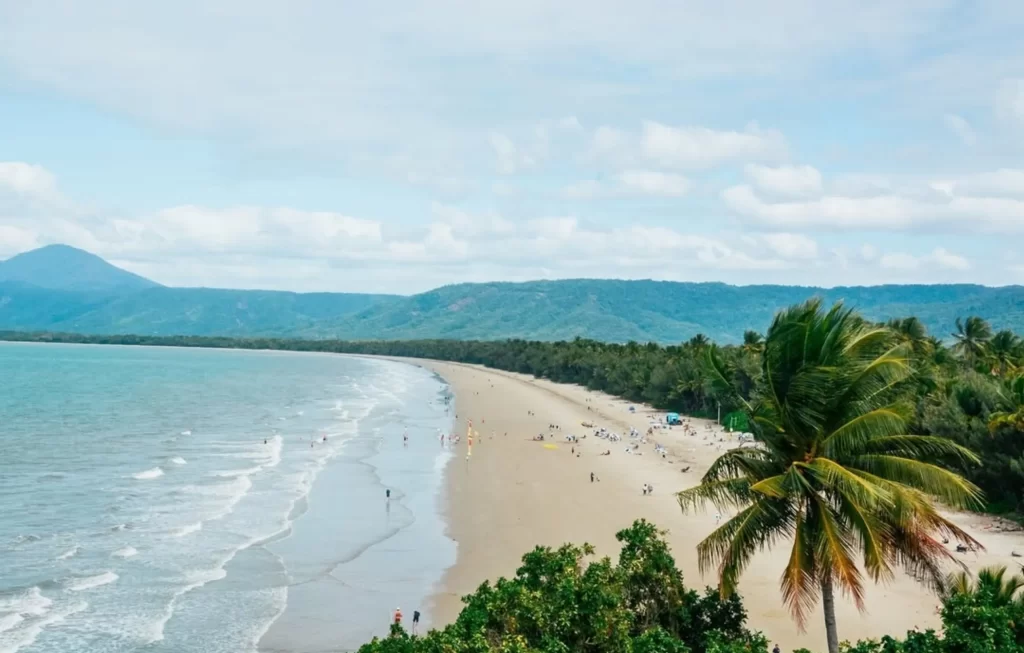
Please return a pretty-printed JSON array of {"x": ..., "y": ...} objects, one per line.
[{"x": 835, "y": 470}]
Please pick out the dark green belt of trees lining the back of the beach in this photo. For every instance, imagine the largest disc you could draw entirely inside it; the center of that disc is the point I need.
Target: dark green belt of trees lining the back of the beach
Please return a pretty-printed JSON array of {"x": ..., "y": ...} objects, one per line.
[{"x": 971, "y": 393}]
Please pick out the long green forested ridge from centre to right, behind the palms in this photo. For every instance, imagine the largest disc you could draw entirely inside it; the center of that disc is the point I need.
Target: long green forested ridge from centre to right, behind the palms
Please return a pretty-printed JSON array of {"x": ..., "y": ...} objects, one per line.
[{"x": 659, "y": 312}]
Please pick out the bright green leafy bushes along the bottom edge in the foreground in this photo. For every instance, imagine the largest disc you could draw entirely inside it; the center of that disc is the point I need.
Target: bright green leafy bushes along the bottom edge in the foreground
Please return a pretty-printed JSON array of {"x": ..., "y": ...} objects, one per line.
[{"x": 562, "y": 601}]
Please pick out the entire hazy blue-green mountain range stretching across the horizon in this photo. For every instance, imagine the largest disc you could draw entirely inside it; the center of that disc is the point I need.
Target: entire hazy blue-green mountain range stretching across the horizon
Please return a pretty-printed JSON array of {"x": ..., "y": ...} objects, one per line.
[{"x": 59, "y": 288}]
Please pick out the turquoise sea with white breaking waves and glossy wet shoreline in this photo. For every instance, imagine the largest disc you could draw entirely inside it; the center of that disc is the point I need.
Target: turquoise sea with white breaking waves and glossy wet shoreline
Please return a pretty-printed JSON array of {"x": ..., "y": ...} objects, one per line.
[{"x": 172, "y": 501}]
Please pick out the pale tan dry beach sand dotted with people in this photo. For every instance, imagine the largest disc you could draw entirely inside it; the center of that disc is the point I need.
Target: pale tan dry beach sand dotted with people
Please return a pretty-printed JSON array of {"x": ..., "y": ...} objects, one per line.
[{"x": 515, "y": 494}]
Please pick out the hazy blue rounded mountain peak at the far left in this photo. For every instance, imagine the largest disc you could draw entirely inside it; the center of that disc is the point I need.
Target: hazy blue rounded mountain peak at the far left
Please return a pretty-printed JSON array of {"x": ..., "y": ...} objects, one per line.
[{"x": 67, "y": 269}]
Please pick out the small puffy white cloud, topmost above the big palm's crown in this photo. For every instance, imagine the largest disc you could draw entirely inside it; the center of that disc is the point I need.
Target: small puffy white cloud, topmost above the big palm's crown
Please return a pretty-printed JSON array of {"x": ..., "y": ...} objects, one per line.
[{"x": 701, "y": 148}]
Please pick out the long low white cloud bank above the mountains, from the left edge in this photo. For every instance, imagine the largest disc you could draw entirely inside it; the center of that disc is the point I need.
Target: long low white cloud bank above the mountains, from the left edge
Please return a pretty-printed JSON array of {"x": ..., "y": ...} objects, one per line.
[{"x": 288, "y": 248}]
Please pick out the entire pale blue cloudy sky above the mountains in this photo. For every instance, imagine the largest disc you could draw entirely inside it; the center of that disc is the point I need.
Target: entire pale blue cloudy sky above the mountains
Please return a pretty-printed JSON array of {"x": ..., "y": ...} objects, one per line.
[{"x": 398, "y": 147}]
